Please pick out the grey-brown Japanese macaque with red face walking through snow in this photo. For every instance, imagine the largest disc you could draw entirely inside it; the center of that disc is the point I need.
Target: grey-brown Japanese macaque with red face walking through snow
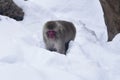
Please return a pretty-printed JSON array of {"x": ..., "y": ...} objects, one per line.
[{"x": 58, "y": 34}]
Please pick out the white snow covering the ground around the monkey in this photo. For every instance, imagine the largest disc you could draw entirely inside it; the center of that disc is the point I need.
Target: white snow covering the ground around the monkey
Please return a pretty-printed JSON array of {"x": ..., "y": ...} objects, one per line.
[{"x": 90, "y": 57}]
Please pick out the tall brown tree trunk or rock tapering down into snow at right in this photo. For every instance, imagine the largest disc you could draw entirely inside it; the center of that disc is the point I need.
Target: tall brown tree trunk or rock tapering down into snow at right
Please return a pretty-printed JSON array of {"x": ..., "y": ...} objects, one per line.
[{"x": 111, "y": 9}]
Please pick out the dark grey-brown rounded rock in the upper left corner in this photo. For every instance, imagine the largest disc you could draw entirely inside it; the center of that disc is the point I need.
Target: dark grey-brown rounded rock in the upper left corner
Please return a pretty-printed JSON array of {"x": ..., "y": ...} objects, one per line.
[{"x": 10, "y": 9}]
